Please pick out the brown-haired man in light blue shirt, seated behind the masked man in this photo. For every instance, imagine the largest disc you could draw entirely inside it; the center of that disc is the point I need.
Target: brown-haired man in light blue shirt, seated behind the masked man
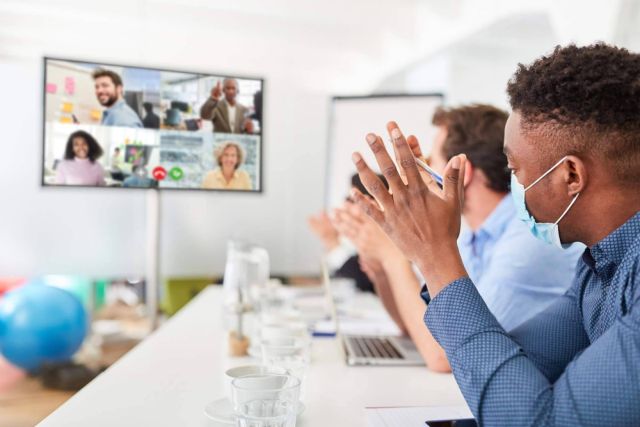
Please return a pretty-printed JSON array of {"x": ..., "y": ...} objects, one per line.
[{"x": 496, "y": 248}]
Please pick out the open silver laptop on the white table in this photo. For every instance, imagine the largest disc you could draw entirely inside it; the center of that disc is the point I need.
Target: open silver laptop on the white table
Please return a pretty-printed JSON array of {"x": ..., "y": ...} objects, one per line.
[{"x": 366, "y": 350}]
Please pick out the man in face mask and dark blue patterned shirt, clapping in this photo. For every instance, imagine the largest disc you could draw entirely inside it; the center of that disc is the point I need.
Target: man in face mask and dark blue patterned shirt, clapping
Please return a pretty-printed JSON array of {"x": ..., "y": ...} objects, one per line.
[{"x": 572, "y": 145}]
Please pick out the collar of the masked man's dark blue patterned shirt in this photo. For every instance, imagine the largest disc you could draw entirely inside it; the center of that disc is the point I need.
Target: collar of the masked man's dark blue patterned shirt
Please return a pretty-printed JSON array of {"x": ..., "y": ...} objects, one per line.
[{"x": 610, "y": 251}]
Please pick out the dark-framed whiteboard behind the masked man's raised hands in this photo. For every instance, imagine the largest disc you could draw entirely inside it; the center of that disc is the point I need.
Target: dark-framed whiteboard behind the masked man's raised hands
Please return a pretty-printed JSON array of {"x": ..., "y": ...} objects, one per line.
[{"x": 353, "y": 117}]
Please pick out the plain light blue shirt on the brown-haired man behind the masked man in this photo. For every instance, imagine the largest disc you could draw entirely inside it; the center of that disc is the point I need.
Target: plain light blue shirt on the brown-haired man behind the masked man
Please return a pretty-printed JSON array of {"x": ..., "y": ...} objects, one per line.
[{"x": 517, "y": 275}]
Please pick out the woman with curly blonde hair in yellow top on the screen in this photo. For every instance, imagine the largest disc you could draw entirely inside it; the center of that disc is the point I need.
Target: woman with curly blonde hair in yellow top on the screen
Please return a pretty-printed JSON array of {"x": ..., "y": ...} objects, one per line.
[{"x": 228, "y": 176}]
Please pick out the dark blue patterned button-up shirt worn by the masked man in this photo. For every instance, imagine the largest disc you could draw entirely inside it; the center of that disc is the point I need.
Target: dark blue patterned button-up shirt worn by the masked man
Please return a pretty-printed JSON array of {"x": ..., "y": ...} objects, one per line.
[{"x": 576, "y": 363}]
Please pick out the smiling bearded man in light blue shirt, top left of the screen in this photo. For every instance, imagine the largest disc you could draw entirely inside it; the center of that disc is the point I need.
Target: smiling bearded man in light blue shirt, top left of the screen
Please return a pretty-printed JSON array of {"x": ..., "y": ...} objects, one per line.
[{"x": 109, "y": 92}]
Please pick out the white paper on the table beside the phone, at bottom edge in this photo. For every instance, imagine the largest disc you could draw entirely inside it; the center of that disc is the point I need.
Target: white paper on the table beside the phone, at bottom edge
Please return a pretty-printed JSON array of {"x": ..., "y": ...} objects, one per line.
[{"x": 414, "y": 416}]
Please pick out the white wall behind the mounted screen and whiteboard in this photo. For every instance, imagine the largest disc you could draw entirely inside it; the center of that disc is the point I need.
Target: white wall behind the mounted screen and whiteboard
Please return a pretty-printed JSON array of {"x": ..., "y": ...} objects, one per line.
[{"x": 306, "y": 50}]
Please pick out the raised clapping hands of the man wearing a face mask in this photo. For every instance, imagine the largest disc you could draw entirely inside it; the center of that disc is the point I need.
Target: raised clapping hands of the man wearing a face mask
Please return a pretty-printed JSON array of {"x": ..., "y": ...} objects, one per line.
[{"x": 421, "y": 220}]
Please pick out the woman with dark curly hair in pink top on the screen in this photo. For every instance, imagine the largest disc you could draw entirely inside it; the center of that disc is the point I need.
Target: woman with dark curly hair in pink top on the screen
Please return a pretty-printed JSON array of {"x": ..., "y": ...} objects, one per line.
[{"x": 79, "y": 166}]
